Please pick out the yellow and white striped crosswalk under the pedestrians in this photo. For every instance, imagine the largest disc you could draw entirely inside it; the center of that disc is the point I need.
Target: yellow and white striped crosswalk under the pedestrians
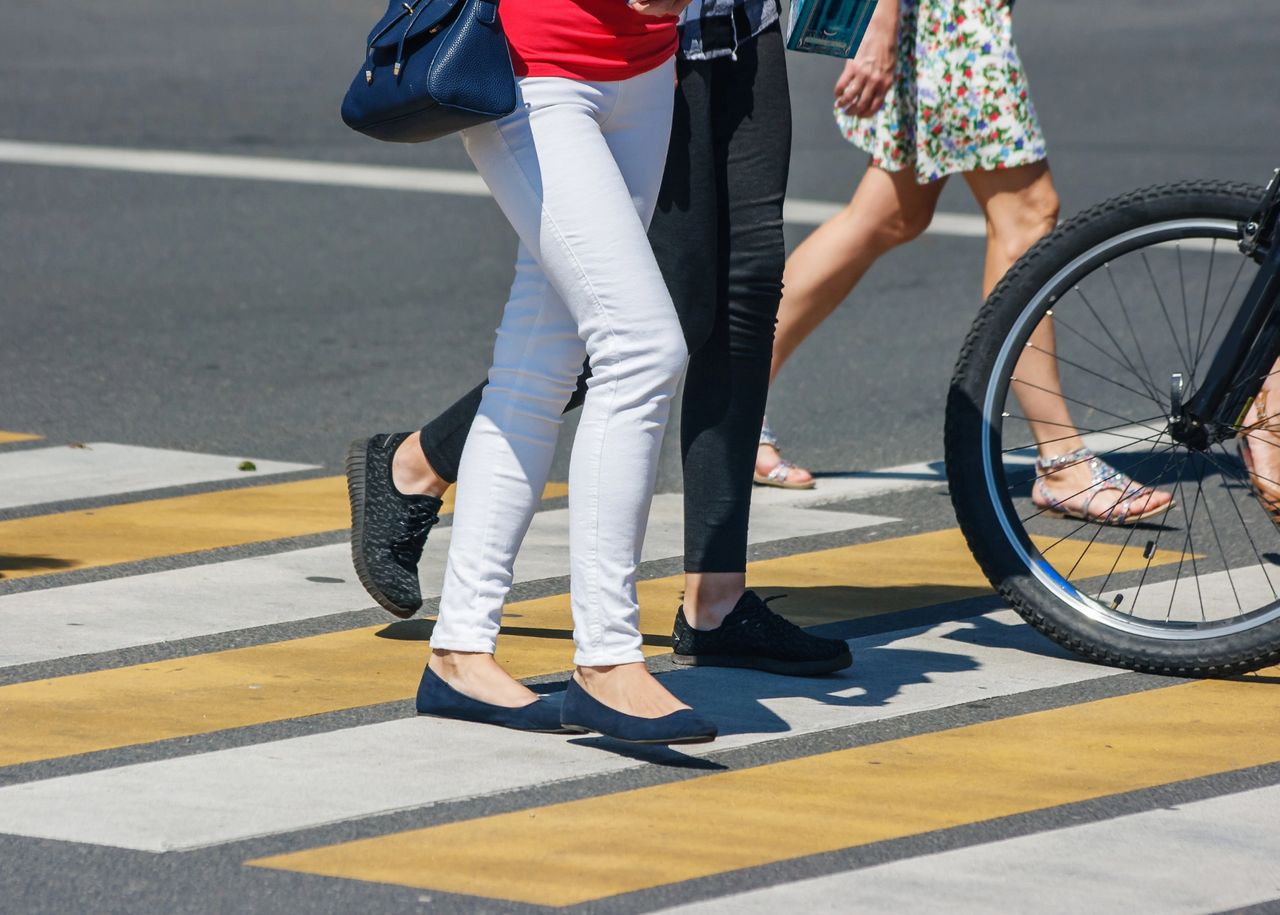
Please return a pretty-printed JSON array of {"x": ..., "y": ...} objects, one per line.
[{"x": 189, "y": 666}]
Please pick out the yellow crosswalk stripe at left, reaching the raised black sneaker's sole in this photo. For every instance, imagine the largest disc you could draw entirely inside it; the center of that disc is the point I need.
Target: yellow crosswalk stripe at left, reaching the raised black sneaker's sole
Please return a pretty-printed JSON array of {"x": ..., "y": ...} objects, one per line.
[{"x": 188, "y": 524}]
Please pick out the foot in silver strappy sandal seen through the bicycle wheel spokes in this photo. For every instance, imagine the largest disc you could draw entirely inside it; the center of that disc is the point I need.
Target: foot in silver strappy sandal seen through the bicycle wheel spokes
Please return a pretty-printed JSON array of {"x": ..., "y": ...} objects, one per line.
[{"x": 1086, "y": 488}]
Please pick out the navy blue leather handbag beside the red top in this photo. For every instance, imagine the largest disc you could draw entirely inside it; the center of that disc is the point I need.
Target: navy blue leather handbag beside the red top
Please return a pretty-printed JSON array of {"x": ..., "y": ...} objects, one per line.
[{"x": 432, "y": 67}]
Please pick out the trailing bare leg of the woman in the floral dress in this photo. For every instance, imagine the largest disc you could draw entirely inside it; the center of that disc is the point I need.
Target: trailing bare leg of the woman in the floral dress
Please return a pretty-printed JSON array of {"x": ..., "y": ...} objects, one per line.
[{"x": 886, "y": 211}]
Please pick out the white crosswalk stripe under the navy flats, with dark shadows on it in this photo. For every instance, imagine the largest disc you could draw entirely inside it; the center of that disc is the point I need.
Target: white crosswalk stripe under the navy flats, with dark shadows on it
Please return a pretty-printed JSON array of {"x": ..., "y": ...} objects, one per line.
[{"x": 303, "y": 783}]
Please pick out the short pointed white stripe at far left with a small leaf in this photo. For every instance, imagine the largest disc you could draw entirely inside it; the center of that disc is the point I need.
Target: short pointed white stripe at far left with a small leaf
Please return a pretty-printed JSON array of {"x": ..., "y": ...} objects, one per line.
[{"x": 98, "y": 469}]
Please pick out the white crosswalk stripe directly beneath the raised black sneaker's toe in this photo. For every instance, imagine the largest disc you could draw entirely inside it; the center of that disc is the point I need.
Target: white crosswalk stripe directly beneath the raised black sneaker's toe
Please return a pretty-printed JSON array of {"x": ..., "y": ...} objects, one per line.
[{"x": 107, "y": 616}]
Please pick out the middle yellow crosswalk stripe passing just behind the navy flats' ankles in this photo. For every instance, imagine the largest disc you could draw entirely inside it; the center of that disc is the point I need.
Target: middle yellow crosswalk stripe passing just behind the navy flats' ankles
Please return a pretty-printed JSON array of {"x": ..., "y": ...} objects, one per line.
[{"x": 104, "y": 710}]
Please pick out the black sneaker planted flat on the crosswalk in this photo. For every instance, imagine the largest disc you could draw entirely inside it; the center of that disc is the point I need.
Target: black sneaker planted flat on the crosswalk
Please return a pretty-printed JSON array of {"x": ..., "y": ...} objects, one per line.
[{"x": 756, "y": 637}]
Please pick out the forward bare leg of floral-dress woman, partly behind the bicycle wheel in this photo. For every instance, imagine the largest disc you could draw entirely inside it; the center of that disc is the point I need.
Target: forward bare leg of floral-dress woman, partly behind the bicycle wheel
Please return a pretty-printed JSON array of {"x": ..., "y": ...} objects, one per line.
[{"x": 1021, "y": 207}]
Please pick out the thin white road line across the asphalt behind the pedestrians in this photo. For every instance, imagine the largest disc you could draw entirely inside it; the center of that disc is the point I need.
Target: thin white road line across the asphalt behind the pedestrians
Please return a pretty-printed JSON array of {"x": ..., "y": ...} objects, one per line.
[{"x": 341, "y": 175}]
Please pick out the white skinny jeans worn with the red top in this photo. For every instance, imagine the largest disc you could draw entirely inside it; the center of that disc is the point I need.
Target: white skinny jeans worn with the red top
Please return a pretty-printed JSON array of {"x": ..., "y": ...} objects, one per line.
[{"x": 577, "y": 170}]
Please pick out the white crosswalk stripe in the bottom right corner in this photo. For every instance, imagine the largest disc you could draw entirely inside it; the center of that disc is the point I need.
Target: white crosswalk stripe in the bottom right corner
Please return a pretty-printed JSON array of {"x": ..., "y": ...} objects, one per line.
[{"x": 1205, "y": 857}]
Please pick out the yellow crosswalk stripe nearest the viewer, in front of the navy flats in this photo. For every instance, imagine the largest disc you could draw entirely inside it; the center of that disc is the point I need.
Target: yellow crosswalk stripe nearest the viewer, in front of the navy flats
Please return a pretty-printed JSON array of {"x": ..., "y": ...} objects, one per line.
[{"x": 566, "y": 854}]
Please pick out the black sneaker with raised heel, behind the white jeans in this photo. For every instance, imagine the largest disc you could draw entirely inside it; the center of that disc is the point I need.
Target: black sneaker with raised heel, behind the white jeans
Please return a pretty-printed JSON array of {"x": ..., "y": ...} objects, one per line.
[{"x": 388, "y": 528}]
